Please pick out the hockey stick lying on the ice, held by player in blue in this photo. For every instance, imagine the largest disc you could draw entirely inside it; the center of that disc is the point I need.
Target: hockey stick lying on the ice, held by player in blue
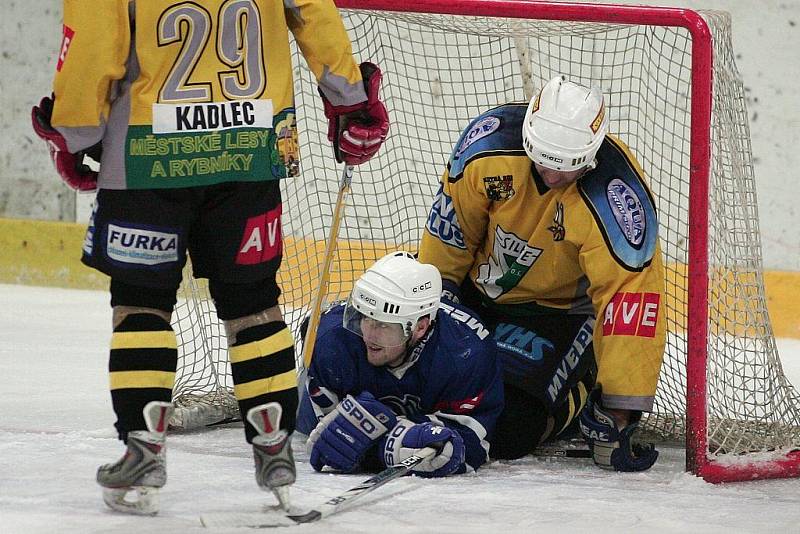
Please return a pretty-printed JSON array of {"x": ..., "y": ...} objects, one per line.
[{"x": 328, "y": 508}]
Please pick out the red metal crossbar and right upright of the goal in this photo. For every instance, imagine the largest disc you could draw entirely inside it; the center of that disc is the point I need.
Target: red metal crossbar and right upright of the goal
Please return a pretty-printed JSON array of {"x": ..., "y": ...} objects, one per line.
[{"x": 700, "y": 155}]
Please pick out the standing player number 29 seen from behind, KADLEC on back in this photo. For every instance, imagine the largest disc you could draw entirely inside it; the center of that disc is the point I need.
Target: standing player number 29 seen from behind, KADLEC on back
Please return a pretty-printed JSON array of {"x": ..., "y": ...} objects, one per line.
[{"x": 185, "y": 105}]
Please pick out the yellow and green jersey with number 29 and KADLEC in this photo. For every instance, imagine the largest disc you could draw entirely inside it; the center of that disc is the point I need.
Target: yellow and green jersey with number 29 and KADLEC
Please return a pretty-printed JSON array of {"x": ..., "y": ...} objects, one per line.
[{"x": 183, "y": 94}]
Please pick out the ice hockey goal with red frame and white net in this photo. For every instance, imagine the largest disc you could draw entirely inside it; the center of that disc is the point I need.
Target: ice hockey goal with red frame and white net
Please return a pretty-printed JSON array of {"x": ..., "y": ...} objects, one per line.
[{"x": 673, "y": 94}]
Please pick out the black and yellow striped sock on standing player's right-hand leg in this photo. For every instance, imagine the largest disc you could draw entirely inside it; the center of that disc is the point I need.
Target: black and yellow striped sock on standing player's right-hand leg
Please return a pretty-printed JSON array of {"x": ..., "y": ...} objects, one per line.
[{"x": 263, "y": 370}]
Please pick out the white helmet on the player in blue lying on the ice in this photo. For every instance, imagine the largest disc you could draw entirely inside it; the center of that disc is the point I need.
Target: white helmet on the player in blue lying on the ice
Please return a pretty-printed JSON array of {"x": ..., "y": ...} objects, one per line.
[{"x": 397, "y": 289}]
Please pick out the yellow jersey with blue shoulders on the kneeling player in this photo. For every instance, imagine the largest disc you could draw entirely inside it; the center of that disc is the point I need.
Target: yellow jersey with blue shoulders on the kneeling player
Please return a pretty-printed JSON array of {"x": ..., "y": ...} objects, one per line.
[{"x": 591, "y": 247}]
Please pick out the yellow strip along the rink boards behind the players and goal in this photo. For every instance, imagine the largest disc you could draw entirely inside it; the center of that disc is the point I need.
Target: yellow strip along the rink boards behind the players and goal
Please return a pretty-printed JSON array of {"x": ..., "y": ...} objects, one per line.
[{"x": 48, "y": 253}]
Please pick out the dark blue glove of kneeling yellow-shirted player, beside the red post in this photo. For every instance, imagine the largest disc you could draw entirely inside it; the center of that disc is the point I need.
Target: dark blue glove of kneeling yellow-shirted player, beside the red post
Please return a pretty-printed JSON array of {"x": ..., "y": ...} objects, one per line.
[{"x": 612, "y": 447}]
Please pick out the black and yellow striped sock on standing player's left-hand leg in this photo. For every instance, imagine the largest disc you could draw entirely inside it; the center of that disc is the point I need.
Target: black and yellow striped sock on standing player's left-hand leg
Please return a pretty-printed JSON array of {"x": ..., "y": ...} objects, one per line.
[{"x": 141, "y": 367}]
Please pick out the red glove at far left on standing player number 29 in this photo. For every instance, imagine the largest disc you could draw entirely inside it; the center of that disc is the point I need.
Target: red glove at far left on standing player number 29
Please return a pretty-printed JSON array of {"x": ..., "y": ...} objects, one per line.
[{"x": 69, "y": 165}]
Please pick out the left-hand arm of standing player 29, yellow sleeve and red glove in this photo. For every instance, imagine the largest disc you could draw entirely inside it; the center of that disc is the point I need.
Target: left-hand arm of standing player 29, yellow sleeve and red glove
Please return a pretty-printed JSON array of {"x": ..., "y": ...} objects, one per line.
[{"x": 93, "y": 55}]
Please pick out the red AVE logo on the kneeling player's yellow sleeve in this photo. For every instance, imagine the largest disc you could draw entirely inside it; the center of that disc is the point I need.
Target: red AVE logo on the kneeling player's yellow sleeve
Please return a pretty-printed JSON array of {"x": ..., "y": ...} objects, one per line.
[{"x": 632, "y": 314}]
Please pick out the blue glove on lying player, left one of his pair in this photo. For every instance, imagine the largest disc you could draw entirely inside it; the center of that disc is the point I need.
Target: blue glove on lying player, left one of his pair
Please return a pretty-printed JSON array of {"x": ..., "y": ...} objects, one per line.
[{"x": 342, "y": 438}]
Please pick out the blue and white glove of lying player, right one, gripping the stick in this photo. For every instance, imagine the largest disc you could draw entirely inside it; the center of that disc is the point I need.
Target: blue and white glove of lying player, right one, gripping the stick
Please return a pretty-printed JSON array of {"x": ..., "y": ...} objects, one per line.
[{"x": 407, "y": 438}]
